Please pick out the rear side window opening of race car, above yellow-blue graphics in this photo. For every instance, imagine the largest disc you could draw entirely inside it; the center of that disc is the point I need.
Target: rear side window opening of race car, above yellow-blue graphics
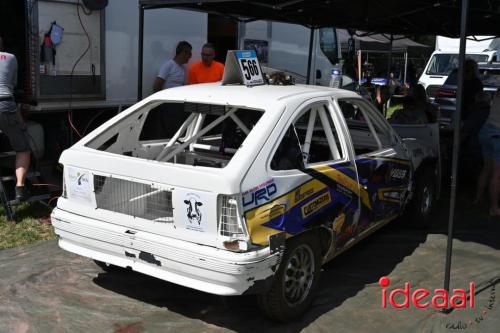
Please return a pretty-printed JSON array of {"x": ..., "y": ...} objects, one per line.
[{"x": 312, "y": 138}]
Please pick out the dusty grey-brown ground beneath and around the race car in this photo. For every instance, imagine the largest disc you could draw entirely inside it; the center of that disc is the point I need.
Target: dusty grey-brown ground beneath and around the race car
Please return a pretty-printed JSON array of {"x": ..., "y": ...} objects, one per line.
[{"x": 45, "y": 289}]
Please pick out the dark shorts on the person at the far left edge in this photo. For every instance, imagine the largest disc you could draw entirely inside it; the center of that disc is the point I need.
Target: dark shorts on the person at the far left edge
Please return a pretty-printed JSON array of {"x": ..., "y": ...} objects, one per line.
[{"x": 14, "y": 128}]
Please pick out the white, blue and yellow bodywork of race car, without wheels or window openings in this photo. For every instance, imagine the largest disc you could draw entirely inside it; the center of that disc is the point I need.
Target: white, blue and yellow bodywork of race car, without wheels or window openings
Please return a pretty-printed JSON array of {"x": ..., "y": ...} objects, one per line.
[{"x": 189, "y": 248}]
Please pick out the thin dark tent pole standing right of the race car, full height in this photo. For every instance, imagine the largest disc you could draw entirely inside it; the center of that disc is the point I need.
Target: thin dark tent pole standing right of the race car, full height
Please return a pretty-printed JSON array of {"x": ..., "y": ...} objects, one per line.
[{"x": 456, "y": 141}]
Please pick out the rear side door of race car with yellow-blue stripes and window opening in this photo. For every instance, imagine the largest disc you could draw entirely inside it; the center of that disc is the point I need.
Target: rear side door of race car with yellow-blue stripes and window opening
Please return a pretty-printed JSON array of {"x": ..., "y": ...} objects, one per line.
[{"x": 313, "y": 161}]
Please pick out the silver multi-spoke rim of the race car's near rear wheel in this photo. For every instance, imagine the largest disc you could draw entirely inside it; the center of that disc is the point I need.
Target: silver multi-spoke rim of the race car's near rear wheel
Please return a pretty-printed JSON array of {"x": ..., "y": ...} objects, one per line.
[{"x": 299, "y": 275}]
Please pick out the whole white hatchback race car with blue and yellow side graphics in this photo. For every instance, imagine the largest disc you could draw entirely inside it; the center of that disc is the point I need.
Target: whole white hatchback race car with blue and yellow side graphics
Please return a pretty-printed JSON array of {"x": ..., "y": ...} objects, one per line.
[{"x": 236, "y": 190}]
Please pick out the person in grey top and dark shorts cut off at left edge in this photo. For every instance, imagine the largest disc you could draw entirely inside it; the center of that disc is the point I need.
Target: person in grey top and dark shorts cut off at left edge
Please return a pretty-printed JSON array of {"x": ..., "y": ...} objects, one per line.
[{"x": 11, "y": 122}]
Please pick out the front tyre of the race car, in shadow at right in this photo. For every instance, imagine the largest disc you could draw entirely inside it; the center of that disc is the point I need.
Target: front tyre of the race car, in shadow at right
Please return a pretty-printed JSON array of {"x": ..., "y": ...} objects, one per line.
[{"x": 424, "y": 199}]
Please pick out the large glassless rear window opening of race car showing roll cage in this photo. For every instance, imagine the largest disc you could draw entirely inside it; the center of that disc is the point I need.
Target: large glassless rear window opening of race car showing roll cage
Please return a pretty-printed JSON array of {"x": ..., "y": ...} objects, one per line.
[{"x": 181, "y": 133}]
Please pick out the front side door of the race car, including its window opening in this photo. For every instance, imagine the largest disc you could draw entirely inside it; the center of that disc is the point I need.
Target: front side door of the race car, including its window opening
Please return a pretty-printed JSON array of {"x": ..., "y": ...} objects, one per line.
[{"x": 383, "y": 165}]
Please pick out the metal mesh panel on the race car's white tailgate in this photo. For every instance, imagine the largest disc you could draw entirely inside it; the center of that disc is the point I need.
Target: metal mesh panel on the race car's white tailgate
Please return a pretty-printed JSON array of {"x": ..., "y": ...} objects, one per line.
[{"x": 135, "y": 199}]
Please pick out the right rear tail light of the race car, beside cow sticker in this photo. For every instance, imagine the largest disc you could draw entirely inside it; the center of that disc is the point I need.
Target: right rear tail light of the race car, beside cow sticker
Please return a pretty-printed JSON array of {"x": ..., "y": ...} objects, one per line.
[{"x": 231, "y": 226}]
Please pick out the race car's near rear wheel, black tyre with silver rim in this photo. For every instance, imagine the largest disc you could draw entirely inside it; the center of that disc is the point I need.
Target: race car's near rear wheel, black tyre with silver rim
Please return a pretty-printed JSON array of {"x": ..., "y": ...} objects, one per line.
[{"x": 295, "y": 281}]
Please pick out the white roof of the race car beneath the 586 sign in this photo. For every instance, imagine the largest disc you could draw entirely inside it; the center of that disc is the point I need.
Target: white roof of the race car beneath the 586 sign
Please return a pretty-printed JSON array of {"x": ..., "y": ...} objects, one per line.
[{"x": 256, "y": 96}]
